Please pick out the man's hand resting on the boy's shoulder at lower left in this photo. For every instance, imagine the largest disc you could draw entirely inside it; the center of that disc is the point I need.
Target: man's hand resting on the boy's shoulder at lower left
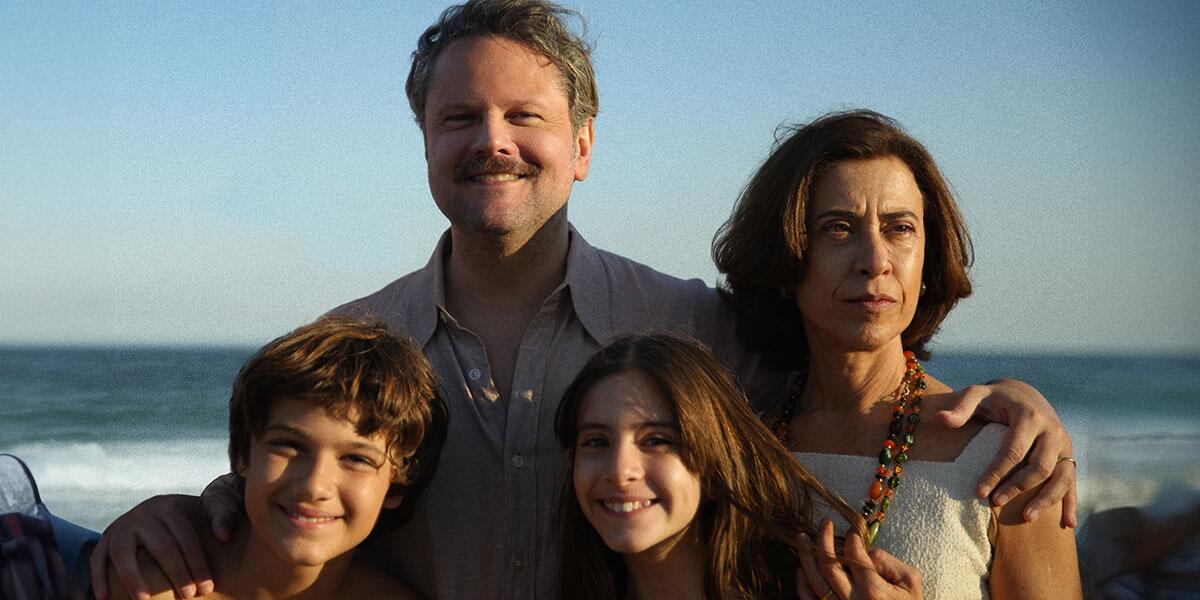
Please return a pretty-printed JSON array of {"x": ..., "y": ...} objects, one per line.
[{"x": 166, "y": 527}]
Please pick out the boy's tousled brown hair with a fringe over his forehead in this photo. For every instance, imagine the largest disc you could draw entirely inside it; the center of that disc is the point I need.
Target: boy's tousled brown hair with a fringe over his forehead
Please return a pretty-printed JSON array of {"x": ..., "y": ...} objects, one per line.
[{"x": 344, "y": 364}]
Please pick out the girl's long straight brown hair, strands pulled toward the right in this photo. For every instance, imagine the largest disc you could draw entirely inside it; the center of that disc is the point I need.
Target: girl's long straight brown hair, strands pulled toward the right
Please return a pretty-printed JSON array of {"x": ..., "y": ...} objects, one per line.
[{"x": 758, "y": 497}]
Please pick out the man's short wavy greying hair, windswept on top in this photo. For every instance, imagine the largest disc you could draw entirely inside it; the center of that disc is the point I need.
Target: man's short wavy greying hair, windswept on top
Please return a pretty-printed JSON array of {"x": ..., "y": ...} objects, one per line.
[{"x": 537, "y": 25}]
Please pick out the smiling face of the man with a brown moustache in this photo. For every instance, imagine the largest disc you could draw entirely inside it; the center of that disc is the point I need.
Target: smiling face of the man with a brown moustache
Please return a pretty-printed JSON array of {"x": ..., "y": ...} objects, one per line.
[{"x": 499, "y": 139}]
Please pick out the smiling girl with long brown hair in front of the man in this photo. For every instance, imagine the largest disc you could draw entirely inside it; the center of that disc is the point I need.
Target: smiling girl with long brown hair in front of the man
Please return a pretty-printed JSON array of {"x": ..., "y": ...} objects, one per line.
[{"x": 679, "y": 491}]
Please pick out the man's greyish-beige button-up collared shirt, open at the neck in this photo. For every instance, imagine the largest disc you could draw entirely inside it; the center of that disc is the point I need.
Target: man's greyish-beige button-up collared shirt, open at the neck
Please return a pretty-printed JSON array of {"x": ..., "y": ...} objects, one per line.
[{"x": 487, "y": 526}]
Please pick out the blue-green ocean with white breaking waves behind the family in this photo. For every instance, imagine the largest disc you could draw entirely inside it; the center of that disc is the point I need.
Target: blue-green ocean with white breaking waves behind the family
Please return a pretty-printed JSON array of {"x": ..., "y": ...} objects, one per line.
[{"x": 104, "y": 429}]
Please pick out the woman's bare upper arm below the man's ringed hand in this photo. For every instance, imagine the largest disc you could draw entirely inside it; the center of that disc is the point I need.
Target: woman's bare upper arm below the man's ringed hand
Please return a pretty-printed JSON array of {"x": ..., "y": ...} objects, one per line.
[{"x": 1033, "y": 560}]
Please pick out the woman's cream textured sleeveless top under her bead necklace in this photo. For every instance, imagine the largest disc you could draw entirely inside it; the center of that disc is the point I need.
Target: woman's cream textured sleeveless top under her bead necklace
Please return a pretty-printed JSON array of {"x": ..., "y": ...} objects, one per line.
[{"x": 935, "y": 524}]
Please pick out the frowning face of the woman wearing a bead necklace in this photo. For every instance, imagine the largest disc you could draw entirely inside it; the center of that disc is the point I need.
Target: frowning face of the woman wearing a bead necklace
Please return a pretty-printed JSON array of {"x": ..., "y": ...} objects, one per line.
[{"x": 867, "y": 248}]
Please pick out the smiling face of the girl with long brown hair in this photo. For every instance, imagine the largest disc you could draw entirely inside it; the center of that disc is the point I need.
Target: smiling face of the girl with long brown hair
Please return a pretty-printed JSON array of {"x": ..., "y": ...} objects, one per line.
[{"x": 628, "y": 471}]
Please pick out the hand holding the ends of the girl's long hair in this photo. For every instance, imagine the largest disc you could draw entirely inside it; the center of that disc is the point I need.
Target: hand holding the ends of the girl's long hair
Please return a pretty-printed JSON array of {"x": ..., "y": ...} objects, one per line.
[{"x": 874, "y": 575}]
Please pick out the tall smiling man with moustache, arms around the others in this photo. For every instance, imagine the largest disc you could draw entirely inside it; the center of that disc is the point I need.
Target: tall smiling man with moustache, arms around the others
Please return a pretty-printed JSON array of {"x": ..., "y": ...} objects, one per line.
[{"x": 508, "y": 309}]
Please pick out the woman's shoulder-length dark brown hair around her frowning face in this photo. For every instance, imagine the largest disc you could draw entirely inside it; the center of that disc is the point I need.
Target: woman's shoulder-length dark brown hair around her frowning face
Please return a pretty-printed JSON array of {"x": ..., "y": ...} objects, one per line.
[{"x": 763, "y": 249}]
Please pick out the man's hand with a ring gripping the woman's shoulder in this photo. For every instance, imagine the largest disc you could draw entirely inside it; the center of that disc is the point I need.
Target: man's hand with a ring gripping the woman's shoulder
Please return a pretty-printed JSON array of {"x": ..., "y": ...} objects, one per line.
[{"x": 1035, "y": 436}]
